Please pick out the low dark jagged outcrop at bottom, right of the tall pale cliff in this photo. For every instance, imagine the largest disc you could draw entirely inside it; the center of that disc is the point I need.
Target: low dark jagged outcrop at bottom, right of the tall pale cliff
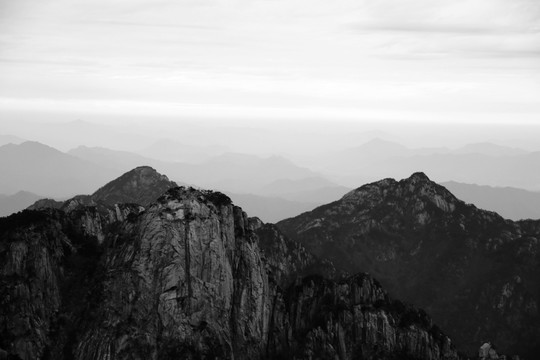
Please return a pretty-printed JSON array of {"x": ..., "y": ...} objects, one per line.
[{"x": 352, "y": 319}]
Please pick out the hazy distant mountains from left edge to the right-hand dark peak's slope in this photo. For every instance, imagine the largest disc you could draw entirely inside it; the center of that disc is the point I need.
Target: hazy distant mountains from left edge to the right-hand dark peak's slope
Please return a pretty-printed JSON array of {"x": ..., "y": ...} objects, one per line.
[{"x": 279, "y": 188}]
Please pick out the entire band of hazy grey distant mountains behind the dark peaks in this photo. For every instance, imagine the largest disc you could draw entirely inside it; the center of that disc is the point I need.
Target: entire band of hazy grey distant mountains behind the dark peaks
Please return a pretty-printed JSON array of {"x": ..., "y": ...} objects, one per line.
[{"x": 275, "y": 188}]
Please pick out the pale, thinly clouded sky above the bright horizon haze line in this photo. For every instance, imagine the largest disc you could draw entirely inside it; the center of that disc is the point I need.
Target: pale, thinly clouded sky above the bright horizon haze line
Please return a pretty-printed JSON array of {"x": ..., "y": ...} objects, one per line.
[{"x": 422, "y": 60}]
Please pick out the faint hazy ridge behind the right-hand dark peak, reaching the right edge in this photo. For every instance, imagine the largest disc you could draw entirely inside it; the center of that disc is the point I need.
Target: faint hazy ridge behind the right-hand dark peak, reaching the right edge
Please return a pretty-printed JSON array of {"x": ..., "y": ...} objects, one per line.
[{"x": 482, "y": 163}]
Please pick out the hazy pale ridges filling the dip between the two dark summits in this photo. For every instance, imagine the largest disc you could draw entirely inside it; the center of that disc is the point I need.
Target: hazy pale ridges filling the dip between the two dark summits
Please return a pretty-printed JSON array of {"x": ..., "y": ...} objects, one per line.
[{"x": 278, "y": 188}]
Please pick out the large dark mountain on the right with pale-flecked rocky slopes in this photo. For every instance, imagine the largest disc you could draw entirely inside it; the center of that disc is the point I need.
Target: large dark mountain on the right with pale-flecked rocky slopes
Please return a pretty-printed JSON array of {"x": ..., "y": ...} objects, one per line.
[{"x": 474, "y": 272}]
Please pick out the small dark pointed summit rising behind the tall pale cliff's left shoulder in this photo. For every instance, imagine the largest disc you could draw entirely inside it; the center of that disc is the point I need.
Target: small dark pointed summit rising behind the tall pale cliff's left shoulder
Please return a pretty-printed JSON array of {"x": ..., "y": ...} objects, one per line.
[{"x": 141, "y": 185}]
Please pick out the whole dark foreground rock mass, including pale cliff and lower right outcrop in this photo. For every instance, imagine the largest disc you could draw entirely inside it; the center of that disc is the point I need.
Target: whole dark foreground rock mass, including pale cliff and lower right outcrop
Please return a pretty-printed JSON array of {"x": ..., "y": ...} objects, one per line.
[{"x": 185, "y": 277}]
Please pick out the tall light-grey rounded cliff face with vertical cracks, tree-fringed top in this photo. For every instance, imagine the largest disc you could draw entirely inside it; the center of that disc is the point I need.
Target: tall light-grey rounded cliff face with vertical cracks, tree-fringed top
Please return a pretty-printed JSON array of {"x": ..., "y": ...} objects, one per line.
[{"x": 174, "y": 280}]
